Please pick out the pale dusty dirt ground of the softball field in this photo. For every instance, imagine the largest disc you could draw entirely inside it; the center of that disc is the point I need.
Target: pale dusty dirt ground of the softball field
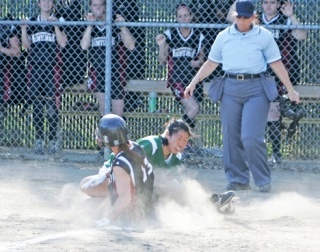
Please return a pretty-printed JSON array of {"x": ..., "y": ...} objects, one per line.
[{"x": 42, "y": 209}]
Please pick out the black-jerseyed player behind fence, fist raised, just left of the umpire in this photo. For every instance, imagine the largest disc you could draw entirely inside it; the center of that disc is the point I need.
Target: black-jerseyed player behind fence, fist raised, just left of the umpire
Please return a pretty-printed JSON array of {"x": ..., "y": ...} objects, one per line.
[{"x": 181, "y": 48}]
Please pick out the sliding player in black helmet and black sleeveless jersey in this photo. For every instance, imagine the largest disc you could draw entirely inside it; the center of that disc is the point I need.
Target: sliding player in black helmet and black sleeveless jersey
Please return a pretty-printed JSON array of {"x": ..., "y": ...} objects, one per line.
[{"x": 127, "y": 178}]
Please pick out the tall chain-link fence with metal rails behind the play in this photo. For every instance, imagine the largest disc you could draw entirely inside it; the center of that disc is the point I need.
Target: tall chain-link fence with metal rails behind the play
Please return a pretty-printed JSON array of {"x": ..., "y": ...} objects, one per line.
[{"x": 53, "y": 92}]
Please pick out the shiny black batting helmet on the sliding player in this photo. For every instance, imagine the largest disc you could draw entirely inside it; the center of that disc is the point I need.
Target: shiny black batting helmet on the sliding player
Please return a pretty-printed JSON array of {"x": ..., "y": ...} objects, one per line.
[{"x": 113, "y": 130}]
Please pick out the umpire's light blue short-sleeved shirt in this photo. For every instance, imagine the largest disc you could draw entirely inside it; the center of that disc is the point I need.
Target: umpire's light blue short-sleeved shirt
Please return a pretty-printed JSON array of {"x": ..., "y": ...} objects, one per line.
[{"x": 244, "y": 52}]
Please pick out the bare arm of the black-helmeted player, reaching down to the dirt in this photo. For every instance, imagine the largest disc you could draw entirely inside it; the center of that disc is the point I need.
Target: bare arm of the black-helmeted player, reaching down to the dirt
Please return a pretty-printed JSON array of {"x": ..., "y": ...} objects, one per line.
[{"x": 123, "y": 182}]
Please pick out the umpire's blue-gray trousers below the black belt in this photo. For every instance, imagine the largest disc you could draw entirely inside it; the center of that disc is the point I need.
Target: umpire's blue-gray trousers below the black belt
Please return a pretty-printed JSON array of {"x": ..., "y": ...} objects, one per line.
[{"x": 244, "y": 110}]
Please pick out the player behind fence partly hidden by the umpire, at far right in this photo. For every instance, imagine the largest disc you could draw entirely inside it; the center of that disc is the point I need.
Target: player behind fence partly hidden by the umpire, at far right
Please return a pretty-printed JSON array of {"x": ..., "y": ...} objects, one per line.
[{"x": 274, "y": 13}]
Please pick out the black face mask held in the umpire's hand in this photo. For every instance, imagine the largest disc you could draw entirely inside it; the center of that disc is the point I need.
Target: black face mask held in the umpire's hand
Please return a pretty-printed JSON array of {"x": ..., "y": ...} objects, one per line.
[{"x": 290, "y": 109}]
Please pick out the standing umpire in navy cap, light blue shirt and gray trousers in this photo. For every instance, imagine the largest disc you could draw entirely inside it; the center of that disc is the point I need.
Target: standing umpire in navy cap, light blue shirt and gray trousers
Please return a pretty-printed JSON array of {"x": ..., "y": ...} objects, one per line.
[{"x": 244, "y": 50}]
